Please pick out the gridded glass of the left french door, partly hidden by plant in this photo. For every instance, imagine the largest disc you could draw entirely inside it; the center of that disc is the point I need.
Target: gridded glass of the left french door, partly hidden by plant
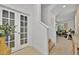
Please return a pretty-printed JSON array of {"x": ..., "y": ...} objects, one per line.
[{"x": 8, "y": 17}]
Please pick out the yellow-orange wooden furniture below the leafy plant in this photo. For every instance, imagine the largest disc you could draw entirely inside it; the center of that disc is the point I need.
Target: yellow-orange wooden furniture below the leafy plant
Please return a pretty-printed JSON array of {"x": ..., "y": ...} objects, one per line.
[{"x": 4, "y": 50}]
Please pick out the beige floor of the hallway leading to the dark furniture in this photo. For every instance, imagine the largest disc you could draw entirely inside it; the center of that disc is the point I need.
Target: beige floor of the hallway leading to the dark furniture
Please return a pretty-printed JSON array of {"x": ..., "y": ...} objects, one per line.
[{"x": 63, "y": 47}]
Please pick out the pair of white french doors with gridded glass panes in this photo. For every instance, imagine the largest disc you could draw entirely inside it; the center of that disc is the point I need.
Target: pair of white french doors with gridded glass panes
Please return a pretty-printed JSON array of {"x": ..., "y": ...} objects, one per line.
[{"x": 13, "y": 18}]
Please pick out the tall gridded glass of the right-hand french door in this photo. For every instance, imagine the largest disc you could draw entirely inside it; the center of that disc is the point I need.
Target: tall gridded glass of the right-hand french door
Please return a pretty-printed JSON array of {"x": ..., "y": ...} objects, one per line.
[{"x": 23, "y": 29}]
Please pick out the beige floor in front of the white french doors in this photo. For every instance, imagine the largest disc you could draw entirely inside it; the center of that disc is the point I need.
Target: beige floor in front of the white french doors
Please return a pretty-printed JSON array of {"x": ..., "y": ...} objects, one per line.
[{"x": 27, "y": 51}]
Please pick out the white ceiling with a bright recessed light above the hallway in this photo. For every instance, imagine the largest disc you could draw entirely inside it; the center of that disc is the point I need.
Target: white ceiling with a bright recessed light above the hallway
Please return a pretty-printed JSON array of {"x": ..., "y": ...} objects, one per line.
[{"x": 62, "y": 11}]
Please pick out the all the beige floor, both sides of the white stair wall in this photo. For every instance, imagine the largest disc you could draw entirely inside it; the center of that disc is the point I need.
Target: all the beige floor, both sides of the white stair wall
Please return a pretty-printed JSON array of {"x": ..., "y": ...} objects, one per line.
[{"x": 63, "y": 47}]
